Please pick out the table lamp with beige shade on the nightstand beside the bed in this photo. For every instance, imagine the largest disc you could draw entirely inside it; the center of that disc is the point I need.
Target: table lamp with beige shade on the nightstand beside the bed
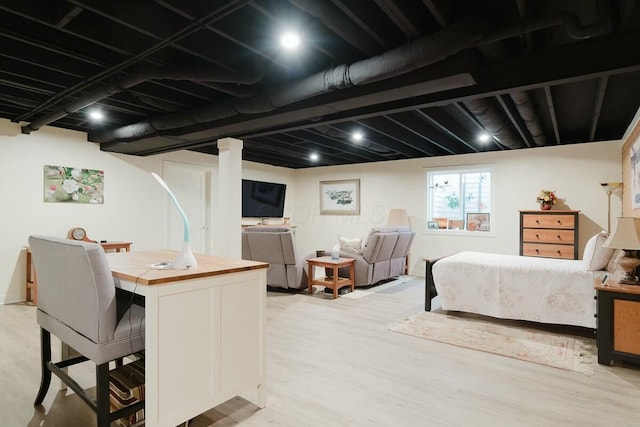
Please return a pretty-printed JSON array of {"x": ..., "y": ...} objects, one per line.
[{"x": 627, "y": 237}]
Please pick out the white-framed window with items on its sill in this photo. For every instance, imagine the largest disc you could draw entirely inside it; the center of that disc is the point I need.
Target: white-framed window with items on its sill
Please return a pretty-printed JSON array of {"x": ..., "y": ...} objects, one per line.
[{"x": 459, "y": 199}]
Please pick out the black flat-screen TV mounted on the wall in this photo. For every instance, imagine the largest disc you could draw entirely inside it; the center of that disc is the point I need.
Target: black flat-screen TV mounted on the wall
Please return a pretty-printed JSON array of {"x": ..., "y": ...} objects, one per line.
[{"x": 262, "y": 199}]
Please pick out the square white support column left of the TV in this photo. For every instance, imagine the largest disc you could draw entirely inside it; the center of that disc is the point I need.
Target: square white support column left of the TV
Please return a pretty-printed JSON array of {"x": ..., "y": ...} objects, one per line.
[{"x": 229, "y": 207}]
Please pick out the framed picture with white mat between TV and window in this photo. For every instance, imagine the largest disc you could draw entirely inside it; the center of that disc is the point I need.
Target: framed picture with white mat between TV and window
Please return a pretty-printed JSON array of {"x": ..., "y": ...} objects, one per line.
[{"x": 341, "y": 197}]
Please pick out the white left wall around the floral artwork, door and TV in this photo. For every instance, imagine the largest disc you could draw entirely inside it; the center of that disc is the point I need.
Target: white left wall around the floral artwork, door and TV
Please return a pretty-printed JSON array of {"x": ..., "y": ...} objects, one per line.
[{"x": 133, "y": 202}]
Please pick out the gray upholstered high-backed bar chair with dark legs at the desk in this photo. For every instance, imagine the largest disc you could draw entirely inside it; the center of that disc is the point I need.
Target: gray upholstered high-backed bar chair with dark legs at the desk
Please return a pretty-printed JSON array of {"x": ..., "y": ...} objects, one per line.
[{"x": 77, "y": 302}]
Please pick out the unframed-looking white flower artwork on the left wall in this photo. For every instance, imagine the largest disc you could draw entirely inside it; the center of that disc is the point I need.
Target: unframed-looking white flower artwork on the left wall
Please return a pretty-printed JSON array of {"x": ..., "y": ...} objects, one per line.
[{"x": 64, "y": 184}]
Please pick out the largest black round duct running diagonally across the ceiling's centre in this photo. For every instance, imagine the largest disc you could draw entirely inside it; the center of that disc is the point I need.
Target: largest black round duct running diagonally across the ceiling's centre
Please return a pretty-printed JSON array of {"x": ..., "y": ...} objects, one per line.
[{"x": 411, "y": 56}]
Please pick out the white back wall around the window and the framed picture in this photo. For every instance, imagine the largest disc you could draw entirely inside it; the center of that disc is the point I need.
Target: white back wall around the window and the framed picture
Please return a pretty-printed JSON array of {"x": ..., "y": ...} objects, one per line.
[{"x": 573, "y": 171}]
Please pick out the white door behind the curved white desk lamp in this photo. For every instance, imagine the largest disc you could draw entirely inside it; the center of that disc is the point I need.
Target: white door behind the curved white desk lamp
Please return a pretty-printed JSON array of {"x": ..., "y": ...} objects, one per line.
[{"x": 191, "y": 186}]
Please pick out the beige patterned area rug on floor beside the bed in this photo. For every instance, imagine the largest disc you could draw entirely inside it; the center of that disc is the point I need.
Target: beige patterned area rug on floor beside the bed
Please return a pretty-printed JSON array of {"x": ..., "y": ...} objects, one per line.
[{"x": 531, "y": 345}]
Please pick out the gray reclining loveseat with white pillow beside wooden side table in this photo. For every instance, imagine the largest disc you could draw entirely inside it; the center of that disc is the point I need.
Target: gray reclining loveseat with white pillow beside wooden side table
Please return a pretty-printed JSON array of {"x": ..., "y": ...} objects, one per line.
[{"x": 382, "y": 256}]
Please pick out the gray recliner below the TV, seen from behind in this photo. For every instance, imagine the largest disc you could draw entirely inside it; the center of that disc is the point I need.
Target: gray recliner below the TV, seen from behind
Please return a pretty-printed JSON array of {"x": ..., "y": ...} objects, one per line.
[{"x": 276, "y": 245}]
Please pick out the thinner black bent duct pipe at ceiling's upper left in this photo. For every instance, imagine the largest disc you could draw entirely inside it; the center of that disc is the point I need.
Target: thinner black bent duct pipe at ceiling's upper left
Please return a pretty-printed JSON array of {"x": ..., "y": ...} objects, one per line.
[{"x": 122, "y": 83}]
